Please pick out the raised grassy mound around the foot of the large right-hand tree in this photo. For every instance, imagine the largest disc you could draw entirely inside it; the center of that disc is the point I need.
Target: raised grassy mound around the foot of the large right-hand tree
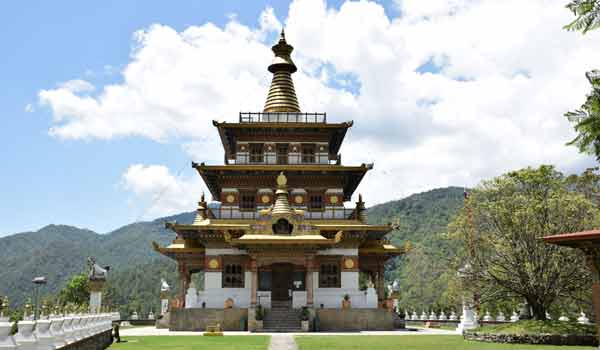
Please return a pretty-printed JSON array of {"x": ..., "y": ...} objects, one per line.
[{"x": 539, "y": 327}]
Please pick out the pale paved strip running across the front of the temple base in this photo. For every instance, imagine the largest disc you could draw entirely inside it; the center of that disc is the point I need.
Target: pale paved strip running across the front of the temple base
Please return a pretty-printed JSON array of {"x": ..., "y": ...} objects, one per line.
[{"x": 150, "y": 330}]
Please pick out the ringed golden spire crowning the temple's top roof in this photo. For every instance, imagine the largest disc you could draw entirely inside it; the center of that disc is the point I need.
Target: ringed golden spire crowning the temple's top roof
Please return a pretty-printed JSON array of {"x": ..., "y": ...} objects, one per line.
[{"x": 282, "y": 95}]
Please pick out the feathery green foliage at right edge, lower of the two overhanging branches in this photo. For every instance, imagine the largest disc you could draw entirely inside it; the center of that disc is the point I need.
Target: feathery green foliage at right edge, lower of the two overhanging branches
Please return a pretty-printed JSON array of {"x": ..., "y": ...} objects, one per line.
[{"x": 587, "y": 119}]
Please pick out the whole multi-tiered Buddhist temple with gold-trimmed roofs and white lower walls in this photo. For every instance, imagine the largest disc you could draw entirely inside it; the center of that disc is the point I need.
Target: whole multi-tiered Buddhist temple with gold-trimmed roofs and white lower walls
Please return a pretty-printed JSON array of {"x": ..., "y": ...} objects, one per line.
[{"x": 282, "y": 236}]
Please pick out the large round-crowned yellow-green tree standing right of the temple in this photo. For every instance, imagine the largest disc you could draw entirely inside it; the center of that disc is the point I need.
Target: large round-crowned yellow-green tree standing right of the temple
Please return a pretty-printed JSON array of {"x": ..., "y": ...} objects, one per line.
[{"x": 510, "y": 215}]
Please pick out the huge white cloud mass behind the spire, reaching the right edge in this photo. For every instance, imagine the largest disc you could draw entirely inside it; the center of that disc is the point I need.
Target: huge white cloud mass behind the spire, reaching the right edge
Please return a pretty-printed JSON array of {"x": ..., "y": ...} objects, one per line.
[{"x": 506, "y": 73}]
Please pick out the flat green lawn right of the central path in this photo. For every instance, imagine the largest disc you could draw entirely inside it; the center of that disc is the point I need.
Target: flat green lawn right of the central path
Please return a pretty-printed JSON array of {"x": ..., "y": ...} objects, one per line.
[{"x": 411, "y": 342}]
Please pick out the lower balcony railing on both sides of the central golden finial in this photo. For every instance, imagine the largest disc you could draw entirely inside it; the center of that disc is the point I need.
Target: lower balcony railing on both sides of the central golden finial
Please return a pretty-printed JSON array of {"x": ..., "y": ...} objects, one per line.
[{"x": 226, "y": 212}]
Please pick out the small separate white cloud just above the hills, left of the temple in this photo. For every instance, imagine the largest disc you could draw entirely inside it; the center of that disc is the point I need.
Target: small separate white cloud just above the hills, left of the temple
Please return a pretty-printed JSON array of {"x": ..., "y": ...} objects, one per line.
[{"x": 160, "y": 192}]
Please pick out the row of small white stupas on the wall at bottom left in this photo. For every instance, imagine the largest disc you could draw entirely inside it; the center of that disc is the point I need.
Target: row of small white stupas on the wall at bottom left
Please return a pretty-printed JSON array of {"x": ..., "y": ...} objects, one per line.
[{"x": 54, "y": 332}]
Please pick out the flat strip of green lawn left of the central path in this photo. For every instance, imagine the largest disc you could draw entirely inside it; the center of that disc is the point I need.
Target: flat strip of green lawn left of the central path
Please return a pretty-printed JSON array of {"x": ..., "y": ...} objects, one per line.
[{"x": 231, "y": 342}]
